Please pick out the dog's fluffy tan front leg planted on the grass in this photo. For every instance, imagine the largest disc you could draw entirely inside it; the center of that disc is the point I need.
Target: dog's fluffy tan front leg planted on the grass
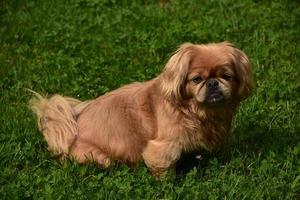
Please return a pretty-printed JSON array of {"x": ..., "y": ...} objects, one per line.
[{"x": 159, "y": 156}]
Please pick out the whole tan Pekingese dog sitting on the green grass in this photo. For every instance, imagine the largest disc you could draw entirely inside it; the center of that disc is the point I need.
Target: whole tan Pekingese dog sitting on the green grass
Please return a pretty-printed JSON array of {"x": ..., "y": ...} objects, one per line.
[{"x": 188, "y": 107}]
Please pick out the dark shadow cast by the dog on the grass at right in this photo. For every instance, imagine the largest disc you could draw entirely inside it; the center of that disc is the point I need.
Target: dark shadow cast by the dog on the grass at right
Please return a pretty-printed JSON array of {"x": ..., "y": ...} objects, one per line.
[{"x": 244, "y": 142}]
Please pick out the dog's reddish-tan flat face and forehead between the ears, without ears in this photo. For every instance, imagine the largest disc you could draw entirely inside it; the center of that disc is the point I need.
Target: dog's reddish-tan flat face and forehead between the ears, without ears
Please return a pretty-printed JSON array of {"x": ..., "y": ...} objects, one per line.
[{"x": 212, "y": 76}]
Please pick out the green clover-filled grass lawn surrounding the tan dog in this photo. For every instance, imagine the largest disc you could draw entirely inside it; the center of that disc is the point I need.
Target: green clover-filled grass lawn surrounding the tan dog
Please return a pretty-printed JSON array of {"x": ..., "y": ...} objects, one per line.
[{"x": 84, "y": 48}]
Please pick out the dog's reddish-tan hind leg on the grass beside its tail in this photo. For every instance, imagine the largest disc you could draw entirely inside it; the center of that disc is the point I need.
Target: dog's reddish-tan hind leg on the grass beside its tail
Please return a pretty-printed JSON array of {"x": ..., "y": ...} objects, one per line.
[{"x": 83, "y": 151}]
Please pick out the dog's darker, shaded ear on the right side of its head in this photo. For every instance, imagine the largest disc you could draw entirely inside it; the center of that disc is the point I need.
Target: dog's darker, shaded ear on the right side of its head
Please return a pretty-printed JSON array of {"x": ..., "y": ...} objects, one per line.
[{"x": 244, "y": 73}]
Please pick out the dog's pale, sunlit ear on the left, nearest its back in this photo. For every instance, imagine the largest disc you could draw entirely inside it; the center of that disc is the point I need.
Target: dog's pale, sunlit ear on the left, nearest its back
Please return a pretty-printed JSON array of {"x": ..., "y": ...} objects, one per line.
[{"x": 173, "y": 78}]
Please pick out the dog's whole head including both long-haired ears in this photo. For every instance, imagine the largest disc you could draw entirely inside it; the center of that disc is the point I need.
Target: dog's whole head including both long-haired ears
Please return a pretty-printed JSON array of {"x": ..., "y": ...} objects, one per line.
[{"x": 210, "y": 74}]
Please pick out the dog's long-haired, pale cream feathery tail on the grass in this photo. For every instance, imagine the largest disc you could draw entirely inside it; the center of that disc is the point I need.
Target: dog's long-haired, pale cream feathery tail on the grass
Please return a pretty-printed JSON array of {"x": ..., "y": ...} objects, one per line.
[{"x": 57, "y": 120}]
